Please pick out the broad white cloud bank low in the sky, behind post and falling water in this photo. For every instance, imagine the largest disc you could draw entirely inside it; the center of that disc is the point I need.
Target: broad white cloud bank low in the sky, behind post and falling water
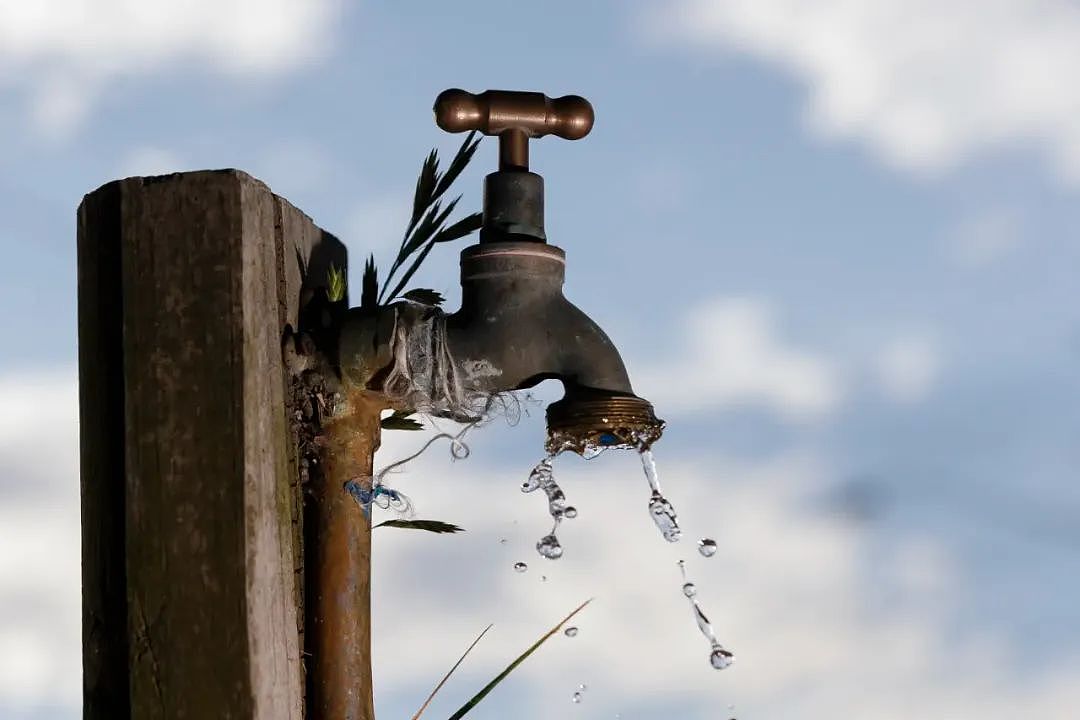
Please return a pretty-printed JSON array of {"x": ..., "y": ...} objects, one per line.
[{"x": 788, "y": 591}]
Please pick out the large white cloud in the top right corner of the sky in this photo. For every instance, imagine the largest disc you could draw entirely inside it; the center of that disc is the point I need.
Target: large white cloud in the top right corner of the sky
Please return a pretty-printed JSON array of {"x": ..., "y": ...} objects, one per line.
[{"x": 925, "y": 84}]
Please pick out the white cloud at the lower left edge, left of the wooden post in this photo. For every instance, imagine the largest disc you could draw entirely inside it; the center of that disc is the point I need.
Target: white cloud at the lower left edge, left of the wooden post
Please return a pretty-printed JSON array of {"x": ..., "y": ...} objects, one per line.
[{"x": 39, "y": 540}]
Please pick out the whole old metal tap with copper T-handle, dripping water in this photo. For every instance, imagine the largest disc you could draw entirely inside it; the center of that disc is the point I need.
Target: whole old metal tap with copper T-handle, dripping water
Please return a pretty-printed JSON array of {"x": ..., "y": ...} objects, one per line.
[{"x": 516, "y": 329}]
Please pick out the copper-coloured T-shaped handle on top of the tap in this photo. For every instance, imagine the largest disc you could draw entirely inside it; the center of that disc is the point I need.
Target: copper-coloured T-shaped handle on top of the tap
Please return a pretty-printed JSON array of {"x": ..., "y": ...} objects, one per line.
[{"x": 515, "y": 117}]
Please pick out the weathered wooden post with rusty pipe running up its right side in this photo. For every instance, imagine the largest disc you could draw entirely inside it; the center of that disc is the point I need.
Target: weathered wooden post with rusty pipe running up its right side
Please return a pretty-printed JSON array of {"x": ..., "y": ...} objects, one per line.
[{"x": 192, "y": 510}]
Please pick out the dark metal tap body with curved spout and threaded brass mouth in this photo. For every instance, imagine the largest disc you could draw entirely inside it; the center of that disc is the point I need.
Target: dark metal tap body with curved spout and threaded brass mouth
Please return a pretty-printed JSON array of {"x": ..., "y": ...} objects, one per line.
[{"x": 516, "y": 329}]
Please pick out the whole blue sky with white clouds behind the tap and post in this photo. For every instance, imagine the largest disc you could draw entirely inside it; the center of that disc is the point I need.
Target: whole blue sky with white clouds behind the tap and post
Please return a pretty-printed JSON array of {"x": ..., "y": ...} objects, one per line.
[{"x": 836, "y": 242}]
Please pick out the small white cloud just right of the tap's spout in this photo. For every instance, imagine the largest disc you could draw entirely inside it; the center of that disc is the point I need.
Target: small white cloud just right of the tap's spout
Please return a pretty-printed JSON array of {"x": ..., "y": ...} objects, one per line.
[{"x": 731, "y": 355}]
